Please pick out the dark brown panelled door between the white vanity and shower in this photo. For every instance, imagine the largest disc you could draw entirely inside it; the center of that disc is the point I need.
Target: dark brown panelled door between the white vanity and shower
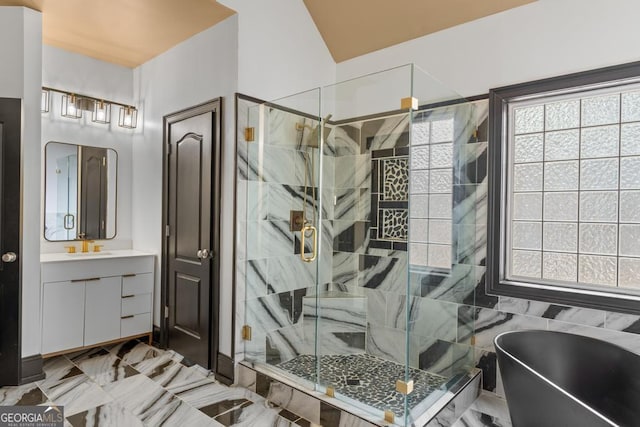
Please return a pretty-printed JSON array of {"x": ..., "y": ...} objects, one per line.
[{"x": 192, "y": 139}]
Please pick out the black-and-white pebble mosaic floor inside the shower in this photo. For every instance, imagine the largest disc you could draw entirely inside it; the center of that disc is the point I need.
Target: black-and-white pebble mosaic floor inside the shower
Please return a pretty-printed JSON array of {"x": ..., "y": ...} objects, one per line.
[{"x": 367, "y": 380}]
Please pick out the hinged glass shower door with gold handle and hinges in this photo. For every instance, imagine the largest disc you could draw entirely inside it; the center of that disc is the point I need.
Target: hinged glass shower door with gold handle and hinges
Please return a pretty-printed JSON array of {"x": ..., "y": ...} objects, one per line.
[{"x": 283, "y": 173}]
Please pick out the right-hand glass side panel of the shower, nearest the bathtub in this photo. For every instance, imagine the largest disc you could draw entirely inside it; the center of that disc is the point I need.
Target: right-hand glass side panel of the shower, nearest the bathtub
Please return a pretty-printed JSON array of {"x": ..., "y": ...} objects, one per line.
[{"x": 448, "y": 142}]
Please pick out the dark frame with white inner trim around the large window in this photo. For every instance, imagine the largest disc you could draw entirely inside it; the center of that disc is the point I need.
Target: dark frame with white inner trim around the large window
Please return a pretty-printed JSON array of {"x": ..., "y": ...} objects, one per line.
[{"x": 499, "y": 99}]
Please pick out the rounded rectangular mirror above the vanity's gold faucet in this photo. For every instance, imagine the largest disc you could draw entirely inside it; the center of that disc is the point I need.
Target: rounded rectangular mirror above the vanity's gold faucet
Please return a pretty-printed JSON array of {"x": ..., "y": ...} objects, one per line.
[{"x": 80, "y": 192}]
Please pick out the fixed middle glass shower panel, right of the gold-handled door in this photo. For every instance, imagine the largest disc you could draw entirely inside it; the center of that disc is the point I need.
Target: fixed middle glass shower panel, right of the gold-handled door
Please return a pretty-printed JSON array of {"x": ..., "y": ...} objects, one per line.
[{"x": 361, "y": 329}]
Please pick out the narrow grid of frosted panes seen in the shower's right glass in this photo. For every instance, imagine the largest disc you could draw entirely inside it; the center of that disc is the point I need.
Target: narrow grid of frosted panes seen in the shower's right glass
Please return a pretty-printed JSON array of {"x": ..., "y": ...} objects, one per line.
[{"x": 430, "y": 234}]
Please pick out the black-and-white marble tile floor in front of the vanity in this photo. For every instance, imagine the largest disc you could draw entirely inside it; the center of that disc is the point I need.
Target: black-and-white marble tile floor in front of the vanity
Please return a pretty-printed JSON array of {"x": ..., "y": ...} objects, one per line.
[{"x": 133, "y": 384}]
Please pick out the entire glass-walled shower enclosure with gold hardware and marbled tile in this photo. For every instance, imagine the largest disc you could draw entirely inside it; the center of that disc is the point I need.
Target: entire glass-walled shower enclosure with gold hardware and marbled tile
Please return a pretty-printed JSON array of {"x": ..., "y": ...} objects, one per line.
[{"x": 359, "y": 301}]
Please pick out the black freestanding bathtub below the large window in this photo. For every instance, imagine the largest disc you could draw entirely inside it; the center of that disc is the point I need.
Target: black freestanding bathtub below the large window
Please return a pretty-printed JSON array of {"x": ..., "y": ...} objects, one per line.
[{"x": 554, "y": 379}]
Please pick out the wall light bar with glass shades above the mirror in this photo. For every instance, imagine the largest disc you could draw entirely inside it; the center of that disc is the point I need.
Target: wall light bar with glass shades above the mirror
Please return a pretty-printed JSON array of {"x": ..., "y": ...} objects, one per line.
[{"x": 73, "y": 104}]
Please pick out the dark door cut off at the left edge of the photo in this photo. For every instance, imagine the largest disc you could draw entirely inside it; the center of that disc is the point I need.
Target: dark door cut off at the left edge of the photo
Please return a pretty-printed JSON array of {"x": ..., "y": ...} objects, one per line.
[{"x": 10, "y": 300}]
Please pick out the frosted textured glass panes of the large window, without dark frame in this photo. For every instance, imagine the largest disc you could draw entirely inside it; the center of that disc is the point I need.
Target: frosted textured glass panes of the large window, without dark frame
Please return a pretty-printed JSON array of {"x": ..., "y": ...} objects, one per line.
[{"x": 574, "y": 189}]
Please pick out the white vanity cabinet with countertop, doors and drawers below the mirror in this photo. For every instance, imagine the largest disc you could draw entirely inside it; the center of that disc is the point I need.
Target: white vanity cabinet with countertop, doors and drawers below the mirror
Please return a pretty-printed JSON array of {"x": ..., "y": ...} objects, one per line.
[{"x": 91, "y": 299}]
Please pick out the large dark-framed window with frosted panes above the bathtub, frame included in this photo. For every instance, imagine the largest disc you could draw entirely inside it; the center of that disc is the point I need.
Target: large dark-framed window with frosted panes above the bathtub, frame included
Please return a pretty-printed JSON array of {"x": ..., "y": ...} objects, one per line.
[{"x": 564, "y": 190}]
